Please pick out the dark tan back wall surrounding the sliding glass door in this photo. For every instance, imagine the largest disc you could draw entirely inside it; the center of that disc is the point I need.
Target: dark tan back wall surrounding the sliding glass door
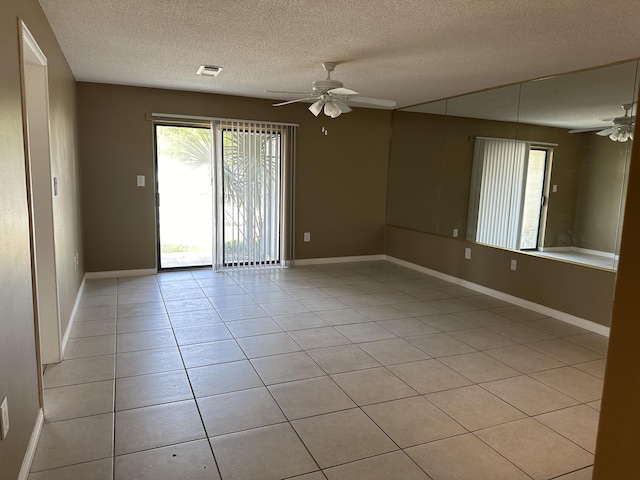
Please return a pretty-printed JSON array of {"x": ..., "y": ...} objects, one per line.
[{"x": 340, "y": 177}]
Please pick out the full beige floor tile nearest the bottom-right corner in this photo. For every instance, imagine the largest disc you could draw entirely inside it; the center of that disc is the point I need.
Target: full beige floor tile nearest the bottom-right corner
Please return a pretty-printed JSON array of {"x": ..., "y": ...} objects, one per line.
[{"x": 536, "y": 449}]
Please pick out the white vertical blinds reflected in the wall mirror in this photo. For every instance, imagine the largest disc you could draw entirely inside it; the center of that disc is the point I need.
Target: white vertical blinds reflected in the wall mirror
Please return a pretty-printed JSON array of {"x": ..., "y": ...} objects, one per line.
[{"x": 499, "y": 167}]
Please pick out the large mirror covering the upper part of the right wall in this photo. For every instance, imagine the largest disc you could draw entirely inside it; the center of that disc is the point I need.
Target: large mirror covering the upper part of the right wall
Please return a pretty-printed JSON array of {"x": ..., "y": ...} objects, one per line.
[{"x": 538, "y": 167}]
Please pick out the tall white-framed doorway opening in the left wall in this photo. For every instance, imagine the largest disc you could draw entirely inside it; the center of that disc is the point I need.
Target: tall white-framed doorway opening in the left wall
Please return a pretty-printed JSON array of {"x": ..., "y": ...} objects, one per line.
[{"x": 41, "y": 188}]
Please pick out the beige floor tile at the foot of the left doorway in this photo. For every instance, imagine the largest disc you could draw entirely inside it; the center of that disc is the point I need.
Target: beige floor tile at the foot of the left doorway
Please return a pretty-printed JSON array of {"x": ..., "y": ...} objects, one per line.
[{"x": 81, "y": 370}]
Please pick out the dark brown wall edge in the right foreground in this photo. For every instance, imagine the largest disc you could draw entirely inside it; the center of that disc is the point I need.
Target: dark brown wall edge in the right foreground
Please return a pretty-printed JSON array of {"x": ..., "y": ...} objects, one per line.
[{"x": 618, "y": 445}]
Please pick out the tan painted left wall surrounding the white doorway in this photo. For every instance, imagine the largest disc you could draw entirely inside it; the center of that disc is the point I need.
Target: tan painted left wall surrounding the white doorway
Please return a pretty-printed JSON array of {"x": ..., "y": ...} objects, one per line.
[{"x": 18, "y": 364}]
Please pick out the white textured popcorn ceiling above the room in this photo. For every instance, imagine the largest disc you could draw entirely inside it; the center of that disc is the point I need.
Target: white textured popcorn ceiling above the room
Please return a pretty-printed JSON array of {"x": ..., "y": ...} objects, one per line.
[{"x": 410, "y": 51}]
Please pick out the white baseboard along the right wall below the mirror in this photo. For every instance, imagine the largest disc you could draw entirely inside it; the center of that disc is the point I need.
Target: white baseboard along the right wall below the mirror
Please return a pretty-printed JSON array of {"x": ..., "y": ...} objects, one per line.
[{"x": 557, "y": 314}]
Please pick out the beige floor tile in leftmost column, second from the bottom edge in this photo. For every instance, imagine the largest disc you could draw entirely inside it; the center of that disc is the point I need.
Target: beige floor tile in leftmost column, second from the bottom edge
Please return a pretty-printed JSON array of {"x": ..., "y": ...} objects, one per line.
[{"x": 74, "y": 441}]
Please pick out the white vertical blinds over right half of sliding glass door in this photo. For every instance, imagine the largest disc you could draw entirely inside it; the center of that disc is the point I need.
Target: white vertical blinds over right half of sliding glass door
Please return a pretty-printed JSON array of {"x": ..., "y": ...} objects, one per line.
[{"x": 253, "y": 204}]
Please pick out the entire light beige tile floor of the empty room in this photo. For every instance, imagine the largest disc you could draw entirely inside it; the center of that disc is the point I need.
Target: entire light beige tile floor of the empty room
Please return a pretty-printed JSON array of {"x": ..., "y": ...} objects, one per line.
[{"x": 346, "y": 371}]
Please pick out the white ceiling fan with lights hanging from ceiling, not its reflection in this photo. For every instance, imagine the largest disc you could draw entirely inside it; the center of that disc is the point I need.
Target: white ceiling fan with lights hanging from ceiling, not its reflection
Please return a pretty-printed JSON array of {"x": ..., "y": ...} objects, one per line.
[{"x": 330, "y": 96}]
